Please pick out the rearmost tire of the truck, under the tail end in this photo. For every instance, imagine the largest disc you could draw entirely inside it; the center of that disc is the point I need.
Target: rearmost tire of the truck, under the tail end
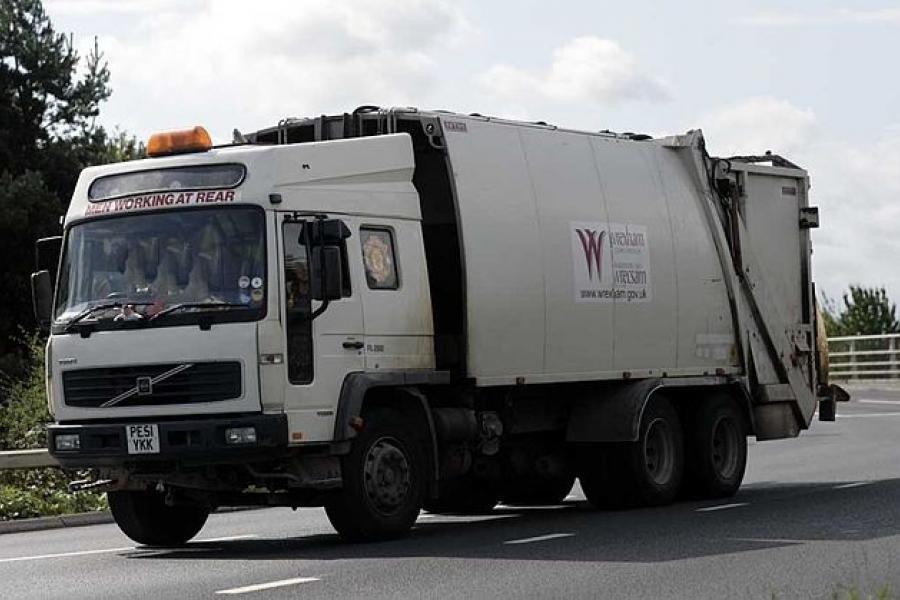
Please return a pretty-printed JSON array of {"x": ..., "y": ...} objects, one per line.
[{"x": 716, "y": 450}]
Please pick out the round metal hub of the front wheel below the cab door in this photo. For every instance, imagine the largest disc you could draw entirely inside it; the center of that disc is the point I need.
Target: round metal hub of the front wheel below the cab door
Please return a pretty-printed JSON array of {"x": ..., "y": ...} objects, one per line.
[{"x": 387, "y": 476}]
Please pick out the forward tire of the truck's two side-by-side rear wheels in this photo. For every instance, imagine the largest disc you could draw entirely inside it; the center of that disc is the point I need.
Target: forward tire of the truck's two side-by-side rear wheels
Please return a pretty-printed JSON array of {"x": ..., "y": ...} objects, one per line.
[{"x": 643, "y": 473}]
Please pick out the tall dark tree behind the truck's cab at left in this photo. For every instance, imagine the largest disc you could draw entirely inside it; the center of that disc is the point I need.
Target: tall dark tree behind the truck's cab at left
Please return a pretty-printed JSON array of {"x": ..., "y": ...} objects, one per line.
[{"x": 48, "y": 133}]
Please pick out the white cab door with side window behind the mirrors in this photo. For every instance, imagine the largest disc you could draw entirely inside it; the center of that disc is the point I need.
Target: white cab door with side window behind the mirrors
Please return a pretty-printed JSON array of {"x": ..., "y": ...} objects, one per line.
[{"x": 319, "y": 352}]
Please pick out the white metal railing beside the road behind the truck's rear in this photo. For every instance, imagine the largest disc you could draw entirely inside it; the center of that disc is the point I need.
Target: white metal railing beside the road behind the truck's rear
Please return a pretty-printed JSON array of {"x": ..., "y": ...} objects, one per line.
[{"x": 864, "y": 357}]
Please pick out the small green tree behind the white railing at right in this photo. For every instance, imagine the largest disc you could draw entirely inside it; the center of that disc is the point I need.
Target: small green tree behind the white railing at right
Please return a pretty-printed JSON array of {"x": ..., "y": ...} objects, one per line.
[{"x": 867, "y": 311}]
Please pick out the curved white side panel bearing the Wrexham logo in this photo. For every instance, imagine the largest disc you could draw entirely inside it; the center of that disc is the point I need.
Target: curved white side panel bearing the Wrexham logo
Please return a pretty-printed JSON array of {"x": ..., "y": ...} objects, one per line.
[{"x": 525, "y": 196}]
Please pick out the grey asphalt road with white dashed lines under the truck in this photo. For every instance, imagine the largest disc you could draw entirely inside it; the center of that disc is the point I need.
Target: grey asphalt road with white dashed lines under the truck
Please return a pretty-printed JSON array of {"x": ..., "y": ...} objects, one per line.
[{"x": 815, "y": 516}]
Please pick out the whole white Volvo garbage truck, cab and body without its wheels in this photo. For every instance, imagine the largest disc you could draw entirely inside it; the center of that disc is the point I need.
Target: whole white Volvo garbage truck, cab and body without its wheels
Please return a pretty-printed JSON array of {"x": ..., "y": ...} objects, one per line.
[{"x": 545, "y": 281}]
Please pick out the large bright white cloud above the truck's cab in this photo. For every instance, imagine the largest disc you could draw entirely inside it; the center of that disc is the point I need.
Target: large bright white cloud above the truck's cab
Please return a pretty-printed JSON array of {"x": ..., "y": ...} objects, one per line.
[{"x": 217, "y": 63}]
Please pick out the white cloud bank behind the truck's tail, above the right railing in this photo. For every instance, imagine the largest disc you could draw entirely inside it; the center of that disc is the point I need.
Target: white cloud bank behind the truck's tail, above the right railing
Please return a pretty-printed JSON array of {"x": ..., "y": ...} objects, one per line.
[{"x": 854, "y": 184}]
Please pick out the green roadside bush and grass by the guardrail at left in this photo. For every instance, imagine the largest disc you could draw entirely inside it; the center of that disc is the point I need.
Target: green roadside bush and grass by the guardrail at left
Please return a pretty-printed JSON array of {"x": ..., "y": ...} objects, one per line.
[{"x": 34, "y": 492}]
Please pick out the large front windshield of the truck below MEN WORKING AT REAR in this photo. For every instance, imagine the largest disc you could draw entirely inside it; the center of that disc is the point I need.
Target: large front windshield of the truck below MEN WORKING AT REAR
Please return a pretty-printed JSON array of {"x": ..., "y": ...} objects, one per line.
[{"x": 130, "y": 268}]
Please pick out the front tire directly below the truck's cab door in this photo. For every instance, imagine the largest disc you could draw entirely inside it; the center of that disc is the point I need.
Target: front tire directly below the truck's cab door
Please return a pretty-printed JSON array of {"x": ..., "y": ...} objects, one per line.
[{"x": 384, "y": 481}]
